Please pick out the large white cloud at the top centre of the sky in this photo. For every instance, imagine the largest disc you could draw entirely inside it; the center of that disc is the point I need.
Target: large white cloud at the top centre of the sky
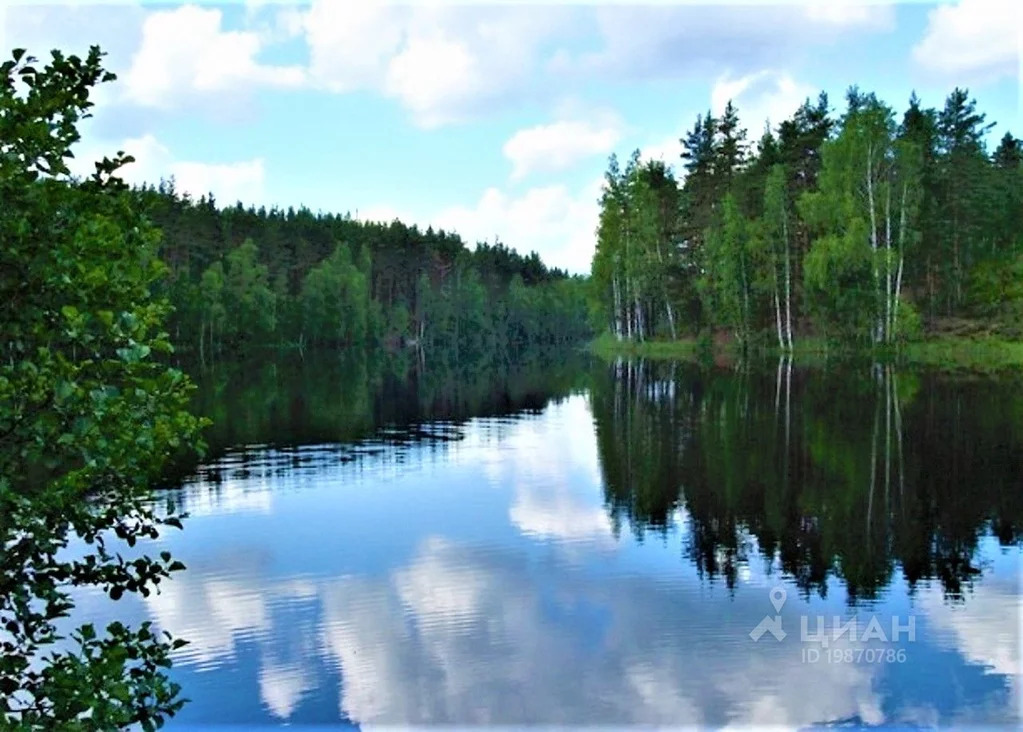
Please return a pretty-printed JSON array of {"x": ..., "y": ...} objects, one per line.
[{"x": 442, "y": 63}]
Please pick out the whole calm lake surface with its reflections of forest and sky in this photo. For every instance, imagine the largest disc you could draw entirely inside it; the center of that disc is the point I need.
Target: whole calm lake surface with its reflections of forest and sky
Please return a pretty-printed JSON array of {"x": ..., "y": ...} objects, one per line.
[{"x": 565, "y": 541}]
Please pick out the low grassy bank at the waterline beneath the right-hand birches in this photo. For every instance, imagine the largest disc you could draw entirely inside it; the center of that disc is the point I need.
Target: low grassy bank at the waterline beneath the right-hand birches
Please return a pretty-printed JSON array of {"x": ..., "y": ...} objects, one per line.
[{"x": 981, "y": 354}]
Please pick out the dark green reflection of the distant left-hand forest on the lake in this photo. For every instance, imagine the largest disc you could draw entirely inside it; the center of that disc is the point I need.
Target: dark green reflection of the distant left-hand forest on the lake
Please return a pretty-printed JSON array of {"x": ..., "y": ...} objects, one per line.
[{"x": 343, "y": 397}]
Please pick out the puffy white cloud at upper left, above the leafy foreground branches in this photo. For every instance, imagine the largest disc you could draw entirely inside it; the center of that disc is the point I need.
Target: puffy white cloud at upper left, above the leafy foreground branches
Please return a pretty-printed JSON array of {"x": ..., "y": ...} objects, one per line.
[{"x": 186, "y": 54}]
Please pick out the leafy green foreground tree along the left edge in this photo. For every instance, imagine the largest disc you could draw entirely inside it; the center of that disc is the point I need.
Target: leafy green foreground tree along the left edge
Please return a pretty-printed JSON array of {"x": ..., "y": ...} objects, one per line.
[{"x": 87, "y": 418}]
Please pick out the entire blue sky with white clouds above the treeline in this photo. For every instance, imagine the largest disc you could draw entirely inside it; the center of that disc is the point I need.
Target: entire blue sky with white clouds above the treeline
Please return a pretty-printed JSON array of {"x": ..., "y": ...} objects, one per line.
[{"x": 494, "y": 119}]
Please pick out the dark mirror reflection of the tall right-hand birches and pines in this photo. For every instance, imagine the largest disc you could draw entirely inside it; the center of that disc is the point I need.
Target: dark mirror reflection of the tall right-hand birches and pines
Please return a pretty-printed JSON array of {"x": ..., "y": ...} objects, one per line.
[{"x": 846, "y": 474}]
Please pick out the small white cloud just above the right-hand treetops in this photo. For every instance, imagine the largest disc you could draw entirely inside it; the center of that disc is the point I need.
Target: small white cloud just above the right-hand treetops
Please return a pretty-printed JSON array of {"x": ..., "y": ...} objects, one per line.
[{"x": 761, "y": 98}]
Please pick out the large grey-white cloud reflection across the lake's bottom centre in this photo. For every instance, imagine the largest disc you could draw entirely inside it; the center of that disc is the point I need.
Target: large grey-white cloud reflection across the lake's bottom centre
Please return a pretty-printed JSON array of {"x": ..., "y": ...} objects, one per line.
[{"x": 501, "y": 654}]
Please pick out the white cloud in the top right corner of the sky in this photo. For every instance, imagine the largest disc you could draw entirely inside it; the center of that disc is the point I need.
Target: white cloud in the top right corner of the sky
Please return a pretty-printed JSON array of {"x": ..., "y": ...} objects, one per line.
[{"x": 975, "y": 39}]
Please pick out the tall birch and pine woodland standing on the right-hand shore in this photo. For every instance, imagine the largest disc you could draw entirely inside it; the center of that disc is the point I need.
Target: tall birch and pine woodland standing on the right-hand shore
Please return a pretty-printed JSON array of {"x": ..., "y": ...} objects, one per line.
[{"x": 868, "y": 227}]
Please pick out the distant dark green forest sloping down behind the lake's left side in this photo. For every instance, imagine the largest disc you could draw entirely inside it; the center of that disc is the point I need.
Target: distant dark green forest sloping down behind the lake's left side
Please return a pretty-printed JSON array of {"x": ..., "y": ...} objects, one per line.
[{"x": 245, "y": 278}]
